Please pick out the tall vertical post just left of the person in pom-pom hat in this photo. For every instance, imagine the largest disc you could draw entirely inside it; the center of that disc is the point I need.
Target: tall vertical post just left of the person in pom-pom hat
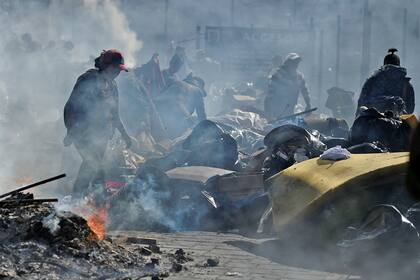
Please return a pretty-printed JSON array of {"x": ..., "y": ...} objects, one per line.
[{"x": 366, "y": 39}]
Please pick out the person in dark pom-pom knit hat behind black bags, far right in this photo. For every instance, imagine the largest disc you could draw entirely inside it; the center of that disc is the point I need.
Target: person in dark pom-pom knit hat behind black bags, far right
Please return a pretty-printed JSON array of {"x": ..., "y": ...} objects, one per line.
[{"x": 389, "y": 88}]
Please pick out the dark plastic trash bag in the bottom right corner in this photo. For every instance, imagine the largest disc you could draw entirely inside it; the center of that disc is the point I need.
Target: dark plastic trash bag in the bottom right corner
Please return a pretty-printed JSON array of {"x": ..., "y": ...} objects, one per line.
[{"x": 384, "y": 238}]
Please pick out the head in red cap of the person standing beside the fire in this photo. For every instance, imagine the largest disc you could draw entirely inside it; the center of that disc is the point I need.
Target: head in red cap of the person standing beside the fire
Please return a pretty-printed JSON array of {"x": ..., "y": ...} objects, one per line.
[{"x": 110, "y": 63}]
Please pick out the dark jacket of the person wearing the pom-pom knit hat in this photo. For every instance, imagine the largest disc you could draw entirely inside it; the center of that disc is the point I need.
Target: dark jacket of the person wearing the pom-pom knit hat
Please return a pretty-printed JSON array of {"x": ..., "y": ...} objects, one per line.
[{"x": 388, "y": 81}]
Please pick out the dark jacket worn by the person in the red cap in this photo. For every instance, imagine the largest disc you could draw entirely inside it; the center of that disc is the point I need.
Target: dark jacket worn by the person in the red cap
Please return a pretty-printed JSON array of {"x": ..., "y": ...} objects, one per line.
[{"x": 92, "y": 109}]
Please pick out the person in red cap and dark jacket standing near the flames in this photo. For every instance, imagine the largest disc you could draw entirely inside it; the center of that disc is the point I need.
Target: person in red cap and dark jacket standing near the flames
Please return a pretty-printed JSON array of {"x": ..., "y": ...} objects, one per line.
[{"x": 91, "y": 115}]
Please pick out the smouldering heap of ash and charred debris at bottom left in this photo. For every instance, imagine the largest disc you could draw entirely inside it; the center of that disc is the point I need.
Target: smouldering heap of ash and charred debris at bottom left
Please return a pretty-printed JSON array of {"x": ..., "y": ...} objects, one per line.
[{"x": 37, "y": 240}]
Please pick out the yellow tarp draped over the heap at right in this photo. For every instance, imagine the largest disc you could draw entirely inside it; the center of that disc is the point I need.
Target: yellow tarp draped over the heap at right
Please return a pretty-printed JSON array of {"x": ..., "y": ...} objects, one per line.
[{"x": 301, "y": 187}]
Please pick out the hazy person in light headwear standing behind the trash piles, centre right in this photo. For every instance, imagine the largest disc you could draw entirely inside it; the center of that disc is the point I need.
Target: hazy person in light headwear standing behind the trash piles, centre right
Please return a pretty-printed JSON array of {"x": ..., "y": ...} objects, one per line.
[{"x": 284, "y": 88}]
